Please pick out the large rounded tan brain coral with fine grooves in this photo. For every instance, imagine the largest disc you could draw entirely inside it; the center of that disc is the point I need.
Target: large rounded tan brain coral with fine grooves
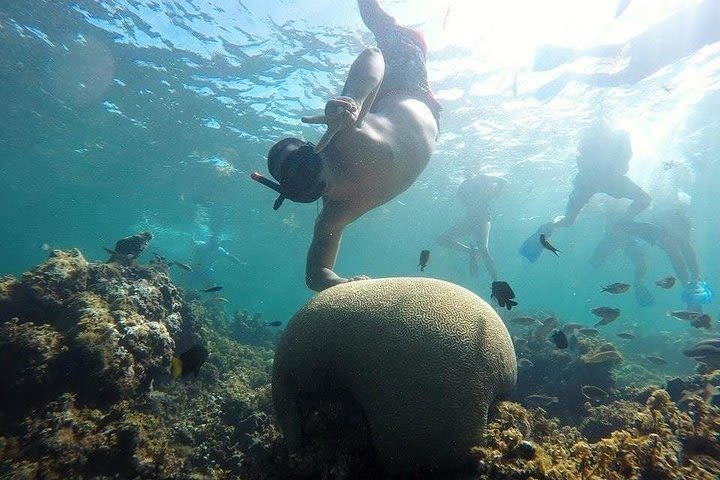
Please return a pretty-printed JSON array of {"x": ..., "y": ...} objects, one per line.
[{"x": 422, "y": 358}]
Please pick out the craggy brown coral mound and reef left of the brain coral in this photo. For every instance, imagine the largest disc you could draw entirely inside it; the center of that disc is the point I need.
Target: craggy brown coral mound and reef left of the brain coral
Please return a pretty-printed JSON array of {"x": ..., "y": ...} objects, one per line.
[{"x": 86, "y": 349}]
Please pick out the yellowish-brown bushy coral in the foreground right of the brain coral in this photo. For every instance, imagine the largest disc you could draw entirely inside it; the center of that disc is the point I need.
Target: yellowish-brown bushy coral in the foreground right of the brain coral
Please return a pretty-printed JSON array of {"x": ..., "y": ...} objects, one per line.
[{"x": 657, "y": 440}]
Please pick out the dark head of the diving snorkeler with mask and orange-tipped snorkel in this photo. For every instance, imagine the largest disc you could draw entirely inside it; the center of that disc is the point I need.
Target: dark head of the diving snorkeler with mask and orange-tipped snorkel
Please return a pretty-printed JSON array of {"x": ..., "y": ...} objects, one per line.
[{"x": 297, "y": 172}]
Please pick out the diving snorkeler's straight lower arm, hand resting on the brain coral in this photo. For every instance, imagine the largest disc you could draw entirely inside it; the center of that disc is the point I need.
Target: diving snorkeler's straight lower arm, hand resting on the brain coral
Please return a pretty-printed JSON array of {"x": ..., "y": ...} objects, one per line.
[{"x": 322, "y": 254}]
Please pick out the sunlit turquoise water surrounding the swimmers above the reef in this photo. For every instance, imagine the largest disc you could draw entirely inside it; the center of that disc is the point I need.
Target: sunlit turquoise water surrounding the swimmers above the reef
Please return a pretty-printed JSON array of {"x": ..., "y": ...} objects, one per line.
[{"x": 123, "y": 115}]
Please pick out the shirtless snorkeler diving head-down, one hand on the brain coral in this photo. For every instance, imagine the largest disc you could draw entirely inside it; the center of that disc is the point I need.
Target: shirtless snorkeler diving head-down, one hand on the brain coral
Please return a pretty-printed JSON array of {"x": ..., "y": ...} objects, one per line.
[{"x": 381, "y": 132}]
